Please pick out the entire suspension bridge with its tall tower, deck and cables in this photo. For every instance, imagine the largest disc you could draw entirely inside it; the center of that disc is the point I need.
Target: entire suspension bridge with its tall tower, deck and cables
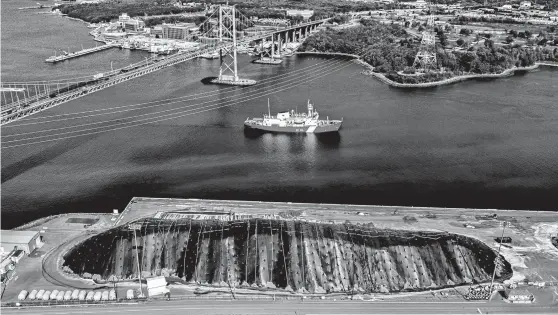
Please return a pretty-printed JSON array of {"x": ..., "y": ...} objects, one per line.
[{"x": 222, "y": 31}]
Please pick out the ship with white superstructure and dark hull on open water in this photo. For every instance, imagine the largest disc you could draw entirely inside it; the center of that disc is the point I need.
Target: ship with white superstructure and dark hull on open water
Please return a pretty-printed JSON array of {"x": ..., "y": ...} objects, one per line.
[{"x": 293, "y": 122}]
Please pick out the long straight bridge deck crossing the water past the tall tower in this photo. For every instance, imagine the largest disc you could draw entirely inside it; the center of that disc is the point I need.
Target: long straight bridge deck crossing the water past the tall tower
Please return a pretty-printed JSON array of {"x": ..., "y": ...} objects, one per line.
[{"x": 45, "y": 103}]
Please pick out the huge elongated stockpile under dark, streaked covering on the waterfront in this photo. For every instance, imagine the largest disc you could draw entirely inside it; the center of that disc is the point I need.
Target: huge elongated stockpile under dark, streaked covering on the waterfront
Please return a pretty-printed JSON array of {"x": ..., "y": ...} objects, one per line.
[{"x": 289, "y": 254}]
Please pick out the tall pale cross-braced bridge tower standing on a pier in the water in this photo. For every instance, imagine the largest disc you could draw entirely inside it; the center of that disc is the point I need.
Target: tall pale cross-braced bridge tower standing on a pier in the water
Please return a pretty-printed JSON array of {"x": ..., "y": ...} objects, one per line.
[{"x": 228, "y": 71}]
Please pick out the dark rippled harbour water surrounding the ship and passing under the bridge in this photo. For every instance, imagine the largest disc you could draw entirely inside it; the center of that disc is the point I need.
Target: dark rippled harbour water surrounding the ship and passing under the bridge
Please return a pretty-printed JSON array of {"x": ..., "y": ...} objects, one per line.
[{"x": 485, "y": 144}]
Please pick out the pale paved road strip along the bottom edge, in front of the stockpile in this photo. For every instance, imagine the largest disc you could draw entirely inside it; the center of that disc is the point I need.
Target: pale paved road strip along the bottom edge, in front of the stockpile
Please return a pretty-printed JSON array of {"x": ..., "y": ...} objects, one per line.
[{"x": 294, "y": 308}]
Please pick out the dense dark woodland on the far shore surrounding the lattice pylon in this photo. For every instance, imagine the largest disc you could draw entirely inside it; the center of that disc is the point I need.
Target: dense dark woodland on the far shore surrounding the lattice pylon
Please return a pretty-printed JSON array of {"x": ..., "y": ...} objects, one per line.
[{"x": 390, "y": 50}]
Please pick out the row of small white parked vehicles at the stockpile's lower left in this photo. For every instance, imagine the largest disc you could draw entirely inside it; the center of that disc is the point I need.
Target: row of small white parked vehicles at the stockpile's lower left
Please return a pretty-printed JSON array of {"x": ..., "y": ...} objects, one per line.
[{"x": 76, "y": 295}]
